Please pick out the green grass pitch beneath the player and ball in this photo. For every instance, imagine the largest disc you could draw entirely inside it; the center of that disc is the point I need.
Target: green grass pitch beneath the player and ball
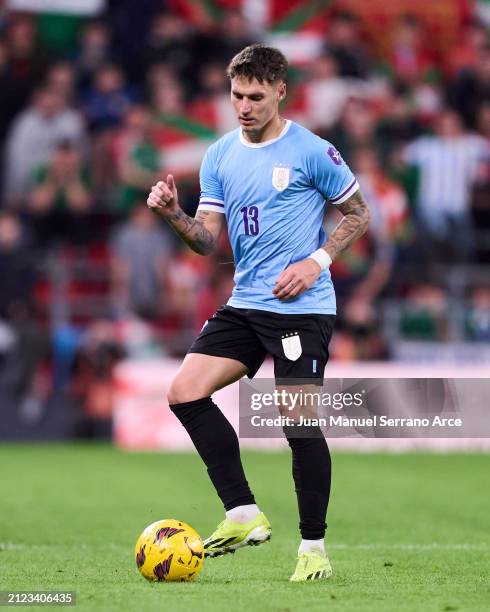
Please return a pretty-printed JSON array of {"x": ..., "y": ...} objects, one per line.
[{"x": 407, "y": 532}]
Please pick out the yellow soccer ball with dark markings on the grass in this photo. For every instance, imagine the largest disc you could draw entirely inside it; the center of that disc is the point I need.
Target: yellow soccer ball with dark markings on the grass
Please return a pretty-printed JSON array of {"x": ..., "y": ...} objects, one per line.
[{"x": 169, "y": 550}]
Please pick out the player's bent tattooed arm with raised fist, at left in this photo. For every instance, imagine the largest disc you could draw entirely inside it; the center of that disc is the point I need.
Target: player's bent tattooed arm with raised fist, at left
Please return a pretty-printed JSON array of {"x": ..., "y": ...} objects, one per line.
[{"x": 201, "y": 232}]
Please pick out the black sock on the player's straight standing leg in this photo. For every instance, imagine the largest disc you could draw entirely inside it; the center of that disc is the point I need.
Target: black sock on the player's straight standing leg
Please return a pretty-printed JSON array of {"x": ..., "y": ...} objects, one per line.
[{"x": 312, "y": 473}]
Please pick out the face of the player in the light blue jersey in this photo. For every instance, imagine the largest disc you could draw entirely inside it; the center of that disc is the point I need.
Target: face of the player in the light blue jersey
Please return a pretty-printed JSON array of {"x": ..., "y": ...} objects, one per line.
[{"x": 256, "y": 104}]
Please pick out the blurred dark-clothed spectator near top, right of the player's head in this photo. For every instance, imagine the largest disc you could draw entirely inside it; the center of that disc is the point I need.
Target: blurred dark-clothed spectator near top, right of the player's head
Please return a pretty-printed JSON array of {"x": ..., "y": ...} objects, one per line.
[{"x": 345, "y": 46}]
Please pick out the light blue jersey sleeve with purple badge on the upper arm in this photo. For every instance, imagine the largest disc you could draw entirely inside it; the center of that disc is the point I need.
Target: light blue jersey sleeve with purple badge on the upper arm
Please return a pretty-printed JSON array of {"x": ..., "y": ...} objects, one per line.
[{"x": 331, "y": 175}]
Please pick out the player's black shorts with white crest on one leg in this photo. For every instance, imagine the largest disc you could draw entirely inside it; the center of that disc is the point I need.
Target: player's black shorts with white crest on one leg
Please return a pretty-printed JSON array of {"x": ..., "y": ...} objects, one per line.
[{"x": 298, "y": 343}]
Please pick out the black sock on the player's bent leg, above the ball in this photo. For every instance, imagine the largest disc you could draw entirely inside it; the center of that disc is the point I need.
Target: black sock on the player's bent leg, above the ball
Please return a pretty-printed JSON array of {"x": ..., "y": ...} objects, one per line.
[{"x": 217, "y": 444}]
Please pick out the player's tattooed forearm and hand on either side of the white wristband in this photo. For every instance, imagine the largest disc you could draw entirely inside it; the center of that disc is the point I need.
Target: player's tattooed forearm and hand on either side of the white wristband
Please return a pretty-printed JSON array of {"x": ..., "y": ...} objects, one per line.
[{"x": 300, "y": 276}]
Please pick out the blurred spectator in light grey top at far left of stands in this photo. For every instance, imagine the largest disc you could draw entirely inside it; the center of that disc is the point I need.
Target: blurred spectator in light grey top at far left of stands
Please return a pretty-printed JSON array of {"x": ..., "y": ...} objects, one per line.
[{"x": 33, "y": 137}]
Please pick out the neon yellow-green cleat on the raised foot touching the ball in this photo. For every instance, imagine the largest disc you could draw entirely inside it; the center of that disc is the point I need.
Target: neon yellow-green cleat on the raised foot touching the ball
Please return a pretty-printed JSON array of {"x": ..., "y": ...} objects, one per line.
[{"x": 230, "y": 536}]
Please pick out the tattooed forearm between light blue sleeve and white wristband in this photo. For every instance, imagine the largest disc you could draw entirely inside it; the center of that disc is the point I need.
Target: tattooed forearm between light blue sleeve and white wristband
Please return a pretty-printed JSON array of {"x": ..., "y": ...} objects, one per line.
[{"x": 353, "y": 225}]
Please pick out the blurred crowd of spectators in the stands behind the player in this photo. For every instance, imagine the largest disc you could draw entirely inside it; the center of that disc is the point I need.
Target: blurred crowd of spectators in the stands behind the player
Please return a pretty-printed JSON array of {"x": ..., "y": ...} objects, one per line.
[{"x": 94, "y": 111}]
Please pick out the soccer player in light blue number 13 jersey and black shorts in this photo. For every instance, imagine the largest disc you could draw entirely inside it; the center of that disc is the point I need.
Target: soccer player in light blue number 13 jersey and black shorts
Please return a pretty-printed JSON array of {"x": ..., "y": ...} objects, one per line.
[{"x": 268, "y": 181}]
